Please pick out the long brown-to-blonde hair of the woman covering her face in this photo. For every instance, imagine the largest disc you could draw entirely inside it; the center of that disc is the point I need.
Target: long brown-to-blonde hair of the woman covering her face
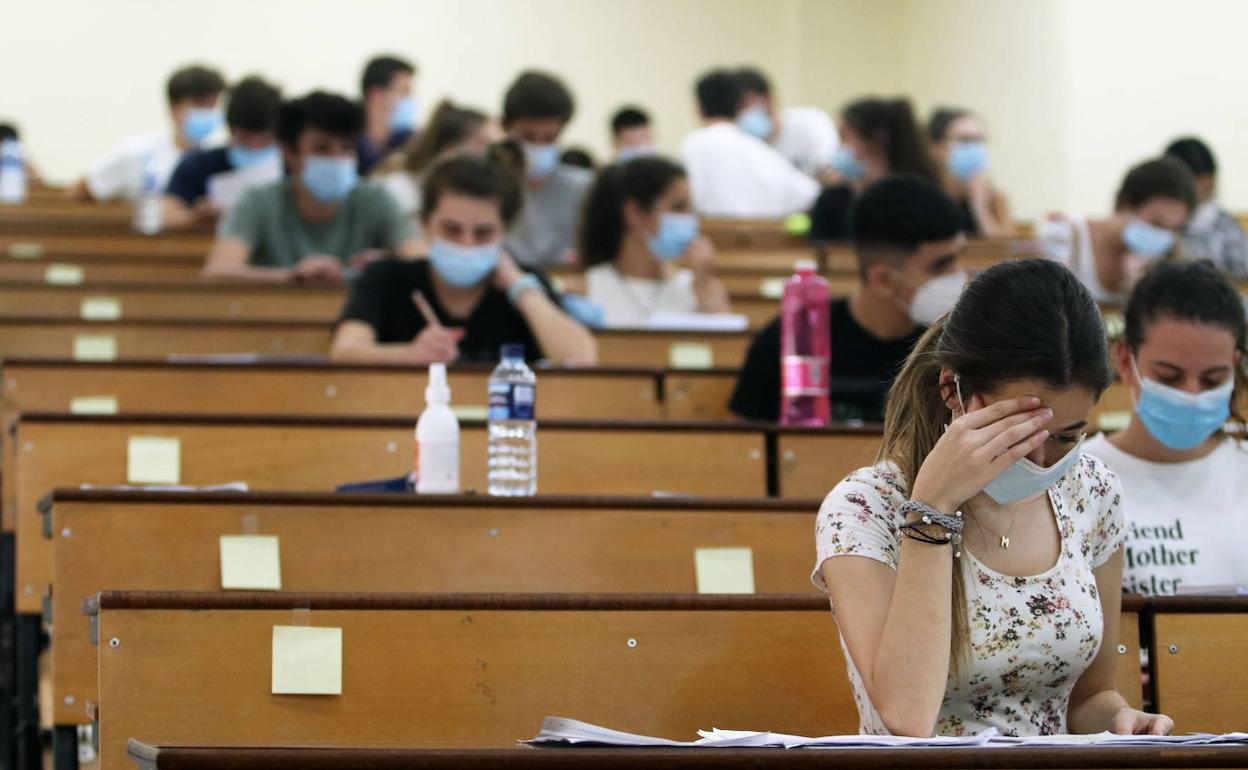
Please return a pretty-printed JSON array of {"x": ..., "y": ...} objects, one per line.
[{"x": 1019, "y": 320}]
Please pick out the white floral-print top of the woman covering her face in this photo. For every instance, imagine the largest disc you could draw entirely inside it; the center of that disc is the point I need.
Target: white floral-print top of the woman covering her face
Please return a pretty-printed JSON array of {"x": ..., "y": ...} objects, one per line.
[{"x": 1031, "y": 638}]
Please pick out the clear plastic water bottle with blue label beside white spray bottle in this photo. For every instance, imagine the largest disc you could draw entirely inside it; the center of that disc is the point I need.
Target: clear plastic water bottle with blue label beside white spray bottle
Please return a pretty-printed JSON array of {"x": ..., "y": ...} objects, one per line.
[{"x": 514, "y": 440}]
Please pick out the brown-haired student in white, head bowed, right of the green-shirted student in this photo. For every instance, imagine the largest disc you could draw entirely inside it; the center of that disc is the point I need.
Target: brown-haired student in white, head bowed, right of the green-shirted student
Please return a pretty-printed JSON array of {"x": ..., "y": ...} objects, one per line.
[{"x": 452, "y": 130}]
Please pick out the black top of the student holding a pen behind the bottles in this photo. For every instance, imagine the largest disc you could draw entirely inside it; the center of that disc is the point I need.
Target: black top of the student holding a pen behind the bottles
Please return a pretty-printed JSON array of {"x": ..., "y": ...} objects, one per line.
[{"x": 383, "y": 299}]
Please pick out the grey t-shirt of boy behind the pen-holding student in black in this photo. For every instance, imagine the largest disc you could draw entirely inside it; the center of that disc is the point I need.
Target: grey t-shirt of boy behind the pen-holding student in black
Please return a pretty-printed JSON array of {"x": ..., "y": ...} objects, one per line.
[{"x": 547, "y": 227}]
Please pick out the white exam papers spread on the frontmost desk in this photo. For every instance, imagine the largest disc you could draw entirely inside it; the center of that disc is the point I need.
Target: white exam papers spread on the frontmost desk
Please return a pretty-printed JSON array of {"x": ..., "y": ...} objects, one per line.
[{"x": 557, "y": 731}]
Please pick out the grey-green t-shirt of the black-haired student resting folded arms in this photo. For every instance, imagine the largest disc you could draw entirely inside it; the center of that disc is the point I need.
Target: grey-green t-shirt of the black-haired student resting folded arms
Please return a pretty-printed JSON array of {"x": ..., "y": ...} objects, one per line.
[{"x": 265, "y": 219}]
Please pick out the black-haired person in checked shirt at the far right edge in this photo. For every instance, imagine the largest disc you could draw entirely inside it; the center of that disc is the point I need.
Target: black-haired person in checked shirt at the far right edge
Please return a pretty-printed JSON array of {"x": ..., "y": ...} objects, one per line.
[{"x": 1212, "y": 234}]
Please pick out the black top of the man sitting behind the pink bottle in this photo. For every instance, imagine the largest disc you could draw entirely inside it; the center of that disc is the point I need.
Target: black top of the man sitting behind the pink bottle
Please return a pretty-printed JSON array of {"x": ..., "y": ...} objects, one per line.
[{"x": 863, "y": 370}]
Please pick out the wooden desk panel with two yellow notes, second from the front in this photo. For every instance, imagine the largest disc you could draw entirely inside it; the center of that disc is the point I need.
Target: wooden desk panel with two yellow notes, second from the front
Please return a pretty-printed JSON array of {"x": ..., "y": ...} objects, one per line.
[{"x": 152, "y": 541}]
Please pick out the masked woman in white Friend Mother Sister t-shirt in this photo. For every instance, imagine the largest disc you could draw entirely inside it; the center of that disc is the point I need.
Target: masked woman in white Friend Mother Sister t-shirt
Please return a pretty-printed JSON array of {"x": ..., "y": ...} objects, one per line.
[{"x": 1185, "y": 479}]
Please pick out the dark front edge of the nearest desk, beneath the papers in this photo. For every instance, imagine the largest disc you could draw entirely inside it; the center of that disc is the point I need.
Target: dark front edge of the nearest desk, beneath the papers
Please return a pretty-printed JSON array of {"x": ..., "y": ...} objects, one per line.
[{"x": 581, "y": 758}]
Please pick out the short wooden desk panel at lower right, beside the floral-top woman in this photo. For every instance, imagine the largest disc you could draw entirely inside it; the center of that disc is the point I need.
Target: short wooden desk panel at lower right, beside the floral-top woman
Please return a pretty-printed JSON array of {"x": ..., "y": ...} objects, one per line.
[{"x": 1199, "y": 652}]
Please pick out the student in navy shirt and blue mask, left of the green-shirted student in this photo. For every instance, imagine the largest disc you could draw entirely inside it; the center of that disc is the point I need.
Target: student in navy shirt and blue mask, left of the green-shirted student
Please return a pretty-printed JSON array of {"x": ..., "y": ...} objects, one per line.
[{"x": 251, "y": 117}]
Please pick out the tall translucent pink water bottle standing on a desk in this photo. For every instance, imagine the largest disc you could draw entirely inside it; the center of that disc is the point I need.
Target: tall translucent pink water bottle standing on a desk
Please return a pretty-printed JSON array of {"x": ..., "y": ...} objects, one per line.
[{"x": 806, "y": 349}]
